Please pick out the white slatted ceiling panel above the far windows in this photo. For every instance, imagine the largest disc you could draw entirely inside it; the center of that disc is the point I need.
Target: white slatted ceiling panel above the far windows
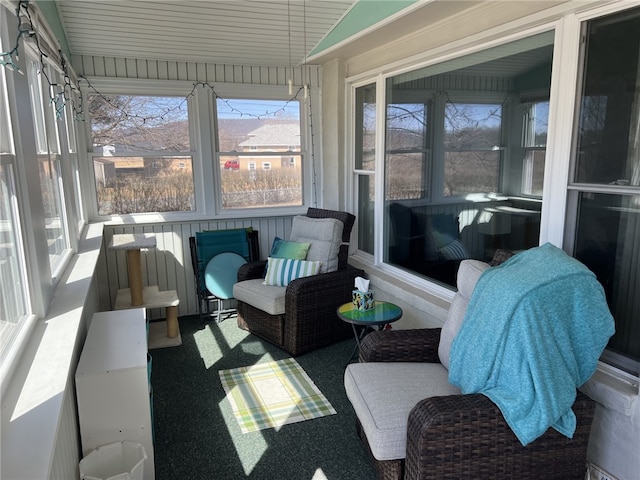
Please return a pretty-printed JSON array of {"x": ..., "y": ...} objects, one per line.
[{"x": 240, "y": 32}]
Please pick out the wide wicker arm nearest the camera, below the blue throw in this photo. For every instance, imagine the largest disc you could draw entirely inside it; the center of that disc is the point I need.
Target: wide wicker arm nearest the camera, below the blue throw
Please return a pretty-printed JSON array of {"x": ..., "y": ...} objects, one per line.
[{"x": 466, "y": 436}]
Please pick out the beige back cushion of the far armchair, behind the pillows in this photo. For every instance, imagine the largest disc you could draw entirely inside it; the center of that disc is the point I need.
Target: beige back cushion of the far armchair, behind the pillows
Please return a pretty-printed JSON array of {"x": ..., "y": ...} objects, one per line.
[{"x": 325, "y": 237}]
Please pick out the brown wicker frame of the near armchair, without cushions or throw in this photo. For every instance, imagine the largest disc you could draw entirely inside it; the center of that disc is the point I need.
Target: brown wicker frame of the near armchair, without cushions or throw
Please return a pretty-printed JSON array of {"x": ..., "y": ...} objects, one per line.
[{"x": 466, "y": 436}]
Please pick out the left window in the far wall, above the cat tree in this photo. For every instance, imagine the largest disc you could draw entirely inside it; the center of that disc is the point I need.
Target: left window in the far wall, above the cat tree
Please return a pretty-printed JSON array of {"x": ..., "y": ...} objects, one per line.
[{"x": 142, "y": 154}]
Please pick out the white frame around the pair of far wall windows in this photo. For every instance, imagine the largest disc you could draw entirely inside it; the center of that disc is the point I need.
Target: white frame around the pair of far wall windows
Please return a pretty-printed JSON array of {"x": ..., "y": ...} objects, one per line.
[{"x": 202, "y": 126}]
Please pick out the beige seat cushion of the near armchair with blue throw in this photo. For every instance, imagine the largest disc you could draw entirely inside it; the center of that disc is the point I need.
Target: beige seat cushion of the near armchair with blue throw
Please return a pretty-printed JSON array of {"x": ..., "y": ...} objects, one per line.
[{"x": 383, "y": 394}]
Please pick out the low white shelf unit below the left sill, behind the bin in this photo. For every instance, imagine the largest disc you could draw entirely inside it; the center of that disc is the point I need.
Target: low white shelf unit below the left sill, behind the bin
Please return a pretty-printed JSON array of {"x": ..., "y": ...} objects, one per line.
[{"x": 112, "y": 384}]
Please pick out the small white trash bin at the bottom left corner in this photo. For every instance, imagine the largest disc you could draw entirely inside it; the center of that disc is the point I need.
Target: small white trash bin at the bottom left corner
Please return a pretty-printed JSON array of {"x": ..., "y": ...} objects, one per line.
[{"x": 115, "y": 461}]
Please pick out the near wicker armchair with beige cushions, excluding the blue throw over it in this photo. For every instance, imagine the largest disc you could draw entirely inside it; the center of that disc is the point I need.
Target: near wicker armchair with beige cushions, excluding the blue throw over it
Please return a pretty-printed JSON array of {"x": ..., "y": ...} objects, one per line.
[{"x": 447, "y": 435}]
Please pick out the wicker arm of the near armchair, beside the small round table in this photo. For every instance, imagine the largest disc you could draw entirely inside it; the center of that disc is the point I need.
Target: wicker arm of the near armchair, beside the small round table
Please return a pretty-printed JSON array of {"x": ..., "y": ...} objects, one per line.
[{"x": 415, "y": 345}]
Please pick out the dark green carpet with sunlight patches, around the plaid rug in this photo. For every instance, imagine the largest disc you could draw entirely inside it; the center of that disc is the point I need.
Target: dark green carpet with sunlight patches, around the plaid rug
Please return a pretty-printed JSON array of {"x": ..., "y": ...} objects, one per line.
[{"x": 197, "y": 436}]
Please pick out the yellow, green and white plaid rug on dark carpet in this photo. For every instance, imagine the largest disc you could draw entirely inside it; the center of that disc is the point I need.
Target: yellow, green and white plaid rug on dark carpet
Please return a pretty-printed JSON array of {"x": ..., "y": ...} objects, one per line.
[{"x": 269, "y": 395}]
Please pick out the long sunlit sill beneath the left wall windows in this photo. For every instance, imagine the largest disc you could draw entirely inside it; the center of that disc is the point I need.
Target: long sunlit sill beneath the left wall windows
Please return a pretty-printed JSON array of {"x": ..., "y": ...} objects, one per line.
[{"x": 39, "y": 389}]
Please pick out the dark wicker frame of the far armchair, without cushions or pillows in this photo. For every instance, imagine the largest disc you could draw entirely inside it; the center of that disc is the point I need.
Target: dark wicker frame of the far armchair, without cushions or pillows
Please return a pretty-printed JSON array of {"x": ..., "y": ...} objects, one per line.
[{"x": 309, "y": 320}]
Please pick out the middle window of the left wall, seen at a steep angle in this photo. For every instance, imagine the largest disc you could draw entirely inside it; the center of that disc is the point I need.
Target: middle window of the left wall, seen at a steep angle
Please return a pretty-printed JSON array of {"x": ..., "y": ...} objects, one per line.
[{"x": 49, "y": 163}]
